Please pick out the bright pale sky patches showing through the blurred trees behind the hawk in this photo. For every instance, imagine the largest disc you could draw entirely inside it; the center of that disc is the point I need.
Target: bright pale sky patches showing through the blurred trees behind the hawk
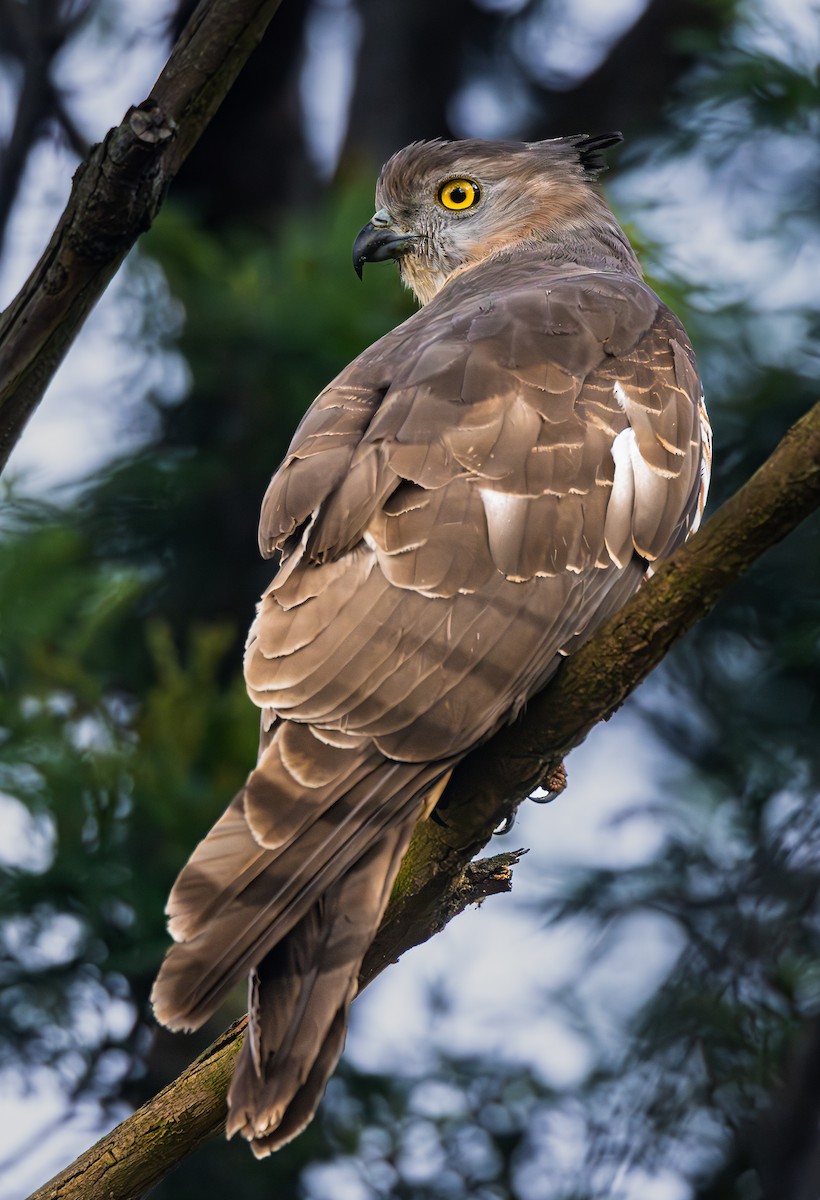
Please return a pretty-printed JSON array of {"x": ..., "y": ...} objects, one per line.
[{"x": 500, "y": 967}]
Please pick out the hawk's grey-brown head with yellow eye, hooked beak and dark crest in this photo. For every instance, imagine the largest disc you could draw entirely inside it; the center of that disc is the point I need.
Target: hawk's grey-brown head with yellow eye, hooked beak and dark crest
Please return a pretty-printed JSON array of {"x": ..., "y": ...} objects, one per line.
[{"x": 445, "y": 207}]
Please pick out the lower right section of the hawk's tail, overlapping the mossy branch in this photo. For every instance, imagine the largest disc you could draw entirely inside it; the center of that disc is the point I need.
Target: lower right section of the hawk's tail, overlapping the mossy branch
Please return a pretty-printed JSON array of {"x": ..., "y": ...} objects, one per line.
[{"x": 301, "y": 998}]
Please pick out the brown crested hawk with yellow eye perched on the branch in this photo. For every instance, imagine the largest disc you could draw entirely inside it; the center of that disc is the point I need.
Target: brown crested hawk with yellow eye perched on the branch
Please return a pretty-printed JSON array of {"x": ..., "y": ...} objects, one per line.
[{"x": 459, "y": 509}]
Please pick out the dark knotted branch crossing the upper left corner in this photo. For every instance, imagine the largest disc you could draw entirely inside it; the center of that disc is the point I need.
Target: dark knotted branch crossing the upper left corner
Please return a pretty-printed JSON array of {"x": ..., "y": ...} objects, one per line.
[{"x": 116, "y": 195}]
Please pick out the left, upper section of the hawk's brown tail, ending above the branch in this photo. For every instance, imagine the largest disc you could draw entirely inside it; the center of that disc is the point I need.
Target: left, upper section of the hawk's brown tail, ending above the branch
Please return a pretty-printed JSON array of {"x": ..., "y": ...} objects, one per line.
[{"x": 236, "y": 899}]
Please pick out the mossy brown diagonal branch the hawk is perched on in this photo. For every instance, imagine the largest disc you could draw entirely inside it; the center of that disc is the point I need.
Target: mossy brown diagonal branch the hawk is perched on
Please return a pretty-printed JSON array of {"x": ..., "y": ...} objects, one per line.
[{"x": 438, "y": 879}]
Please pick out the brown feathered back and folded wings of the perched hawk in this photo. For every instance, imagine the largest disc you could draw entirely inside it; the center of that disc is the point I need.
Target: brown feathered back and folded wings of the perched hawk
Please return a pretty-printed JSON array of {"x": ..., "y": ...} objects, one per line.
[{"x": 500, "y": 471}]
